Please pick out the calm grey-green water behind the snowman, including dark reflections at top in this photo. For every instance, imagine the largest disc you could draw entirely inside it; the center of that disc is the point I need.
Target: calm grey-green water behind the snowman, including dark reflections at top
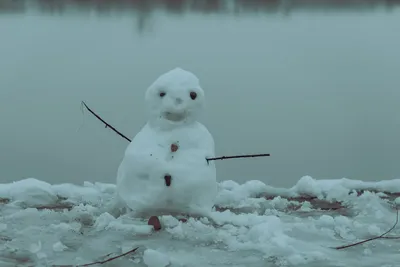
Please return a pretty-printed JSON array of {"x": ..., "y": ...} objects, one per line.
[{"x": 318, "y": 87}]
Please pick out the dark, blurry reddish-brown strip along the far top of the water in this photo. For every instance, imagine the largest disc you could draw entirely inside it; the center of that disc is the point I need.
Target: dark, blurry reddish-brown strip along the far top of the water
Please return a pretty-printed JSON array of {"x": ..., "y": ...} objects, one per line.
[{"x": 182, "y": 6}]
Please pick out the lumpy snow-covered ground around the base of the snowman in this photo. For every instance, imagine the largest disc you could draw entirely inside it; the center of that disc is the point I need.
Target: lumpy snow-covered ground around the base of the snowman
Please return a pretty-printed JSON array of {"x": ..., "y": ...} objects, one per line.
[{"x": 254, "y": 225}]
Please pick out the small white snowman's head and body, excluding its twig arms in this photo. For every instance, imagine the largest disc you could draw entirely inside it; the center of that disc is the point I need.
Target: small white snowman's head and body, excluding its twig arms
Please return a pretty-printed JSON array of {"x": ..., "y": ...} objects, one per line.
[{"x": 165, "y": 169}]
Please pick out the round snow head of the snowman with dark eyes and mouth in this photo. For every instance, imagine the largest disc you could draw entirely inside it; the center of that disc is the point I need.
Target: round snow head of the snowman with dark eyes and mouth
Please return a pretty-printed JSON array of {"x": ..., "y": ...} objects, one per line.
[{"x": 175, "y": 99}]
